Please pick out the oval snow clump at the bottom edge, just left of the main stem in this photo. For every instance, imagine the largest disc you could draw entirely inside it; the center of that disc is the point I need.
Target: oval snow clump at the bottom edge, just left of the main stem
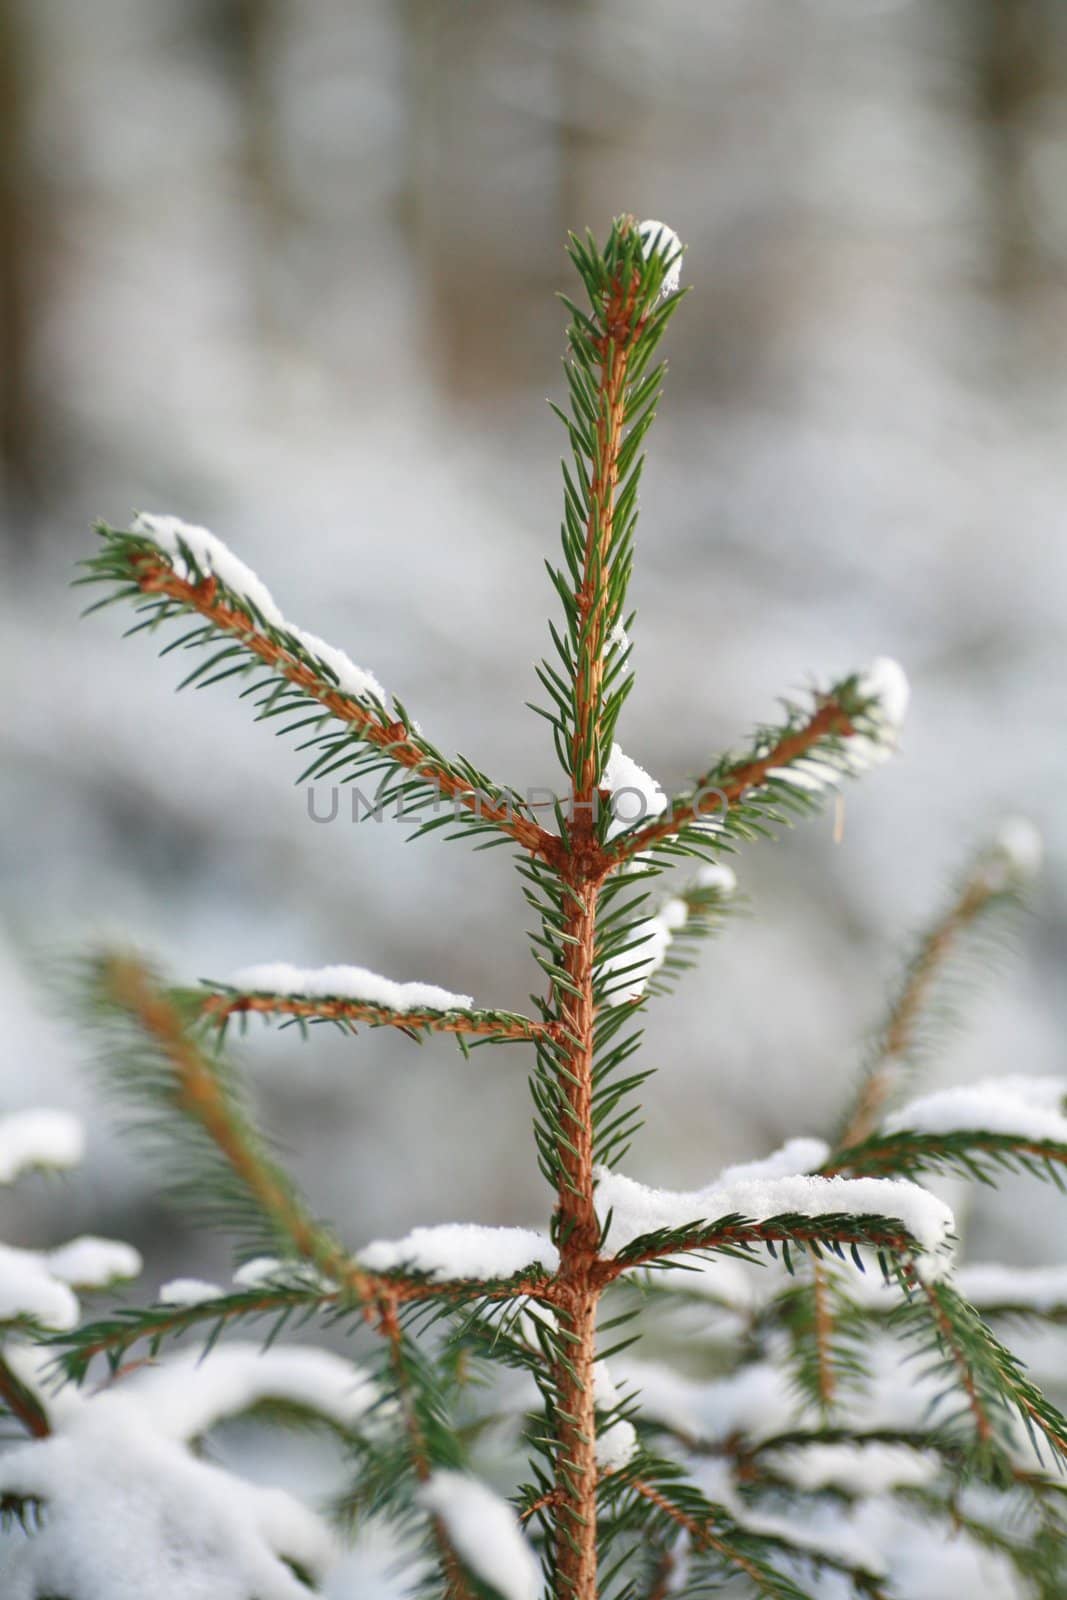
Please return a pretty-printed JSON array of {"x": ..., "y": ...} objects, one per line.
[{"x": 486, "y": 1534}]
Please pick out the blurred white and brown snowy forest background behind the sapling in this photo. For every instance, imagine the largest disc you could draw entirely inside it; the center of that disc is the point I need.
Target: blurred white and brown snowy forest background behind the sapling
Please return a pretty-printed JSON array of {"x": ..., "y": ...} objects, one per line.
[{"x": 289, "y": 271}]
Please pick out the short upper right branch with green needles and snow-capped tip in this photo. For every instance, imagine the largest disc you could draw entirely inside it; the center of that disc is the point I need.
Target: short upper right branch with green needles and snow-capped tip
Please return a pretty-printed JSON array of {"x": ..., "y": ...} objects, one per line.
[{"x": 844, "y": 732}]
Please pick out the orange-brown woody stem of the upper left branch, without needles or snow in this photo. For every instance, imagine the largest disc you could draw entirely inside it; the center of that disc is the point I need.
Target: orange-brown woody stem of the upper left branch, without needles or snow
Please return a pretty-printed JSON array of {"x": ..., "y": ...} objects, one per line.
[{"x": 156, "y": 577}]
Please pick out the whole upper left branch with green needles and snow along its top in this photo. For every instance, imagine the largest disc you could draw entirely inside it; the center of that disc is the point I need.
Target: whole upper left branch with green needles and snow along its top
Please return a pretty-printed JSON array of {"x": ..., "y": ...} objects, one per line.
[{"x": 175, "y": 570}]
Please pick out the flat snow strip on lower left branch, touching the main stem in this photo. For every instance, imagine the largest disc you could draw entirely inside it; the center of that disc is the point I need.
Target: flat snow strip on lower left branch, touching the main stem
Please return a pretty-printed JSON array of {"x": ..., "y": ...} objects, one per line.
[{"x": 463, "y": 1250}]
